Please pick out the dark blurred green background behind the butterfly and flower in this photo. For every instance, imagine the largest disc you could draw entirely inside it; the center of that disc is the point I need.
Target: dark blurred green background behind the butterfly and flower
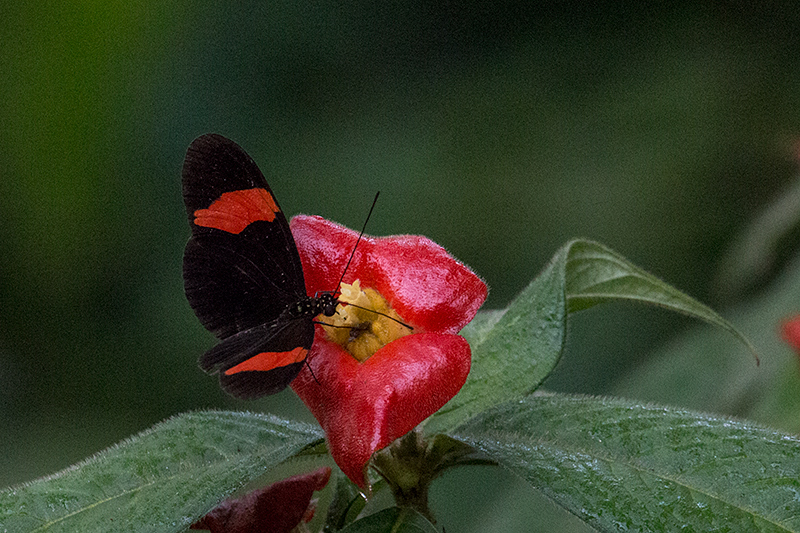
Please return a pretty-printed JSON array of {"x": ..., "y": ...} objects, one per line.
[{"x": 500, "y": 130}]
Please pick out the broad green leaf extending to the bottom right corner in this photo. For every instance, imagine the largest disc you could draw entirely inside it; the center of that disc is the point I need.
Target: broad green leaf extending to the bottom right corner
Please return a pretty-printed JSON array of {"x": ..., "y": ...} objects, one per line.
[{"x": 622, "y": 466}]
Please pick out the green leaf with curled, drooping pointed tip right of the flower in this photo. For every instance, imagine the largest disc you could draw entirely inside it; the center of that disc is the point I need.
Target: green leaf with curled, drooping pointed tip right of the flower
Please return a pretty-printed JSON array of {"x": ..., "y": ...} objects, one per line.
[{"x": 514, "y": 350}]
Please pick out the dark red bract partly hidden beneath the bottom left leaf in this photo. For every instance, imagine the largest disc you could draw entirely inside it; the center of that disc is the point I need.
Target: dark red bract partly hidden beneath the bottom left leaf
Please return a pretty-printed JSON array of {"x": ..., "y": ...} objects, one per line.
[{"x": 278, "y": 508}]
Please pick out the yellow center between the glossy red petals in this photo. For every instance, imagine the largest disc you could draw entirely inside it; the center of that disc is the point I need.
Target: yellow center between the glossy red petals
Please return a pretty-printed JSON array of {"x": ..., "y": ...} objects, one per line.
[{"x": 366, "y": 325}]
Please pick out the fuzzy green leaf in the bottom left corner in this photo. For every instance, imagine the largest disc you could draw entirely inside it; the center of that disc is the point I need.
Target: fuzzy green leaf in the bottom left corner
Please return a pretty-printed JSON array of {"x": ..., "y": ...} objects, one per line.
[{"x": 160, "y": 480}]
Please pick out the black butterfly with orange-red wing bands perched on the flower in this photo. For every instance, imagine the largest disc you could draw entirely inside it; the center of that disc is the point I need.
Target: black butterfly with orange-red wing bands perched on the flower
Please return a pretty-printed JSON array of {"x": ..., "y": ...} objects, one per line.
[{"x": 242, "y": 272}]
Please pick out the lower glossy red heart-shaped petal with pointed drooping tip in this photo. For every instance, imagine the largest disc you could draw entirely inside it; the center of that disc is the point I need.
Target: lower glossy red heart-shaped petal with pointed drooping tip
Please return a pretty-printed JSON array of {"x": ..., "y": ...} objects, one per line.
[{"x": 363, "y": 407}]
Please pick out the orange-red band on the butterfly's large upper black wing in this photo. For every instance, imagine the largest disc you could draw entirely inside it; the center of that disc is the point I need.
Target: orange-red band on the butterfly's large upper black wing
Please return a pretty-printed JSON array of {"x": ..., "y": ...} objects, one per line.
[{"x": 233, "y": 211}]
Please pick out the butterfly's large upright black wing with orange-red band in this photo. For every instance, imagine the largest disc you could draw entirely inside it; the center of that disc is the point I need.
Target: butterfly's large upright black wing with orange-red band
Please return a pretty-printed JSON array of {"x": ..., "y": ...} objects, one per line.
[{"x": 241, "y": 267}]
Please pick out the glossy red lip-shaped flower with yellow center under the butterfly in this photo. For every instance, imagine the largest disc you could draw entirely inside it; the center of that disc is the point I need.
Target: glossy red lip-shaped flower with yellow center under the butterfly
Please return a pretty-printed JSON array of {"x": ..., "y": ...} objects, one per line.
[{"x": 375, "y": 379}]
